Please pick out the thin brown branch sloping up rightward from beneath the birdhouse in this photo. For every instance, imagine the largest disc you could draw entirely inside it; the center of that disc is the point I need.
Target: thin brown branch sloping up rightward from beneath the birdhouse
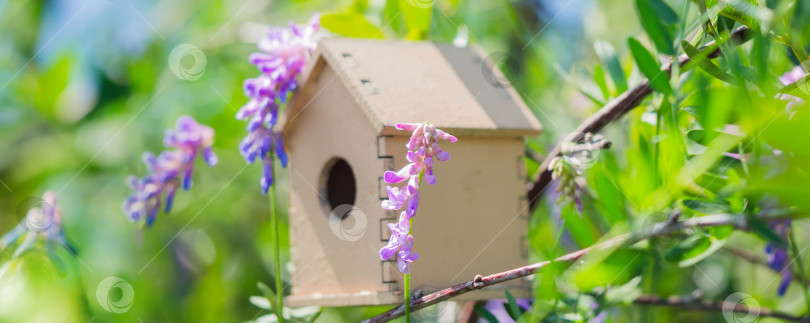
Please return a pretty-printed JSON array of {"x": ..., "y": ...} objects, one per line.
[{"x": 659, "y": 229}]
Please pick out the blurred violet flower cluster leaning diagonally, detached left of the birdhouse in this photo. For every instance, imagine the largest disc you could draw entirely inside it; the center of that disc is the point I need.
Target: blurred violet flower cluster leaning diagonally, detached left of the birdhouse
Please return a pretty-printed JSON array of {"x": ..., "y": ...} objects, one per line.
[{"x": 169, "y": 170}]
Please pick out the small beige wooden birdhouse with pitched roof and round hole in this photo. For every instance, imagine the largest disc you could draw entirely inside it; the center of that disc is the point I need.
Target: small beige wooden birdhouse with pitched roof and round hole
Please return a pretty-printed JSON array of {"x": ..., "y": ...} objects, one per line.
[{"x": 340, "y": 136}]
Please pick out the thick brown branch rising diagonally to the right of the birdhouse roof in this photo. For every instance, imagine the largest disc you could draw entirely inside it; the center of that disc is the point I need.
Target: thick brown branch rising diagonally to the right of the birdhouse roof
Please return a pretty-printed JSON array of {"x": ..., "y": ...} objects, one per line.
[{"x": 614, "y": 110}]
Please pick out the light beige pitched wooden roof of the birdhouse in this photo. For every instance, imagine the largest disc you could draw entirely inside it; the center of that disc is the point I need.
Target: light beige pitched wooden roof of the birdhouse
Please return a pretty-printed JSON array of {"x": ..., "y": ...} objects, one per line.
[{"x": 405, "y": 81}]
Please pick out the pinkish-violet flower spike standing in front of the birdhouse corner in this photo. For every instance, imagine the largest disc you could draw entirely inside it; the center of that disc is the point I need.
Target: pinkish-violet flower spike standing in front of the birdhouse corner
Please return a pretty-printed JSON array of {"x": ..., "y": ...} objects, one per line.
[{"x": 422, "y": 148}]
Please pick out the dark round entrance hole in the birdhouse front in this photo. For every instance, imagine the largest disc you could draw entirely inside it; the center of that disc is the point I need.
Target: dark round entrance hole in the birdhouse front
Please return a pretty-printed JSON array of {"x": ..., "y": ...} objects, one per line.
[{"x": 338, "y": 185}]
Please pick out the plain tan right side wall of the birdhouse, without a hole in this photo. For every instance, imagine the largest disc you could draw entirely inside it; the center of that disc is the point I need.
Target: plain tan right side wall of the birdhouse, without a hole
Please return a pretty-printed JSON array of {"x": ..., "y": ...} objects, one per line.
[{"x": 473, "y": 221}]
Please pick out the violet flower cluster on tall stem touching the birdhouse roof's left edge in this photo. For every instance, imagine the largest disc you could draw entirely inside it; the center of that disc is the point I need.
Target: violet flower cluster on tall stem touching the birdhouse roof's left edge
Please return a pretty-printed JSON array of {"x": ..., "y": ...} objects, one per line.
[{"x": 285, "y": 52}]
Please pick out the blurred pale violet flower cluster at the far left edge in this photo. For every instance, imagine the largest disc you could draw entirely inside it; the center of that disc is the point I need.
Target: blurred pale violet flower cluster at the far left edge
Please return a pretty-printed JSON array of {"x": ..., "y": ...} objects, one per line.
[{"x": 44, "y": 220}]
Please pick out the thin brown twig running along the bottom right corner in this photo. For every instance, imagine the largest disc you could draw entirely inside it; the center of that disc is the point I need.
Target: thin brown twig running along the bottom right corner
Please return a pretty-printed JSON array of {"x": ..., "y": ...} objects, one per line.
[{"x": 703, "y": 305}]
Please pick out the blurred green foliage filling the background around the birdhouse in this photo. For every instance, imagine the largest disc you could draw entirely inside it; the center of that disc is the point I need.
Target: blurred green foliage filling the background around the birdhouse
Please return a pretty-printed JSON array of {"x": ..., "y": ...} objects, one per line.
[{"x": 86, "y": 87}]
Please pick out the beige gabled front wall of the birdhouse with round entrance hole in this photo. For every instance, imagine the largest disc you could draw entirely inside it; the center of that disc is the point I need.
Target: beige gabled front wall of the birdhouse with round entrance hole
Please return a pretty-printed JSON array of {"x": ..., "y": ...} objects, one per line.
[{"x": 334, "y": 264}]
